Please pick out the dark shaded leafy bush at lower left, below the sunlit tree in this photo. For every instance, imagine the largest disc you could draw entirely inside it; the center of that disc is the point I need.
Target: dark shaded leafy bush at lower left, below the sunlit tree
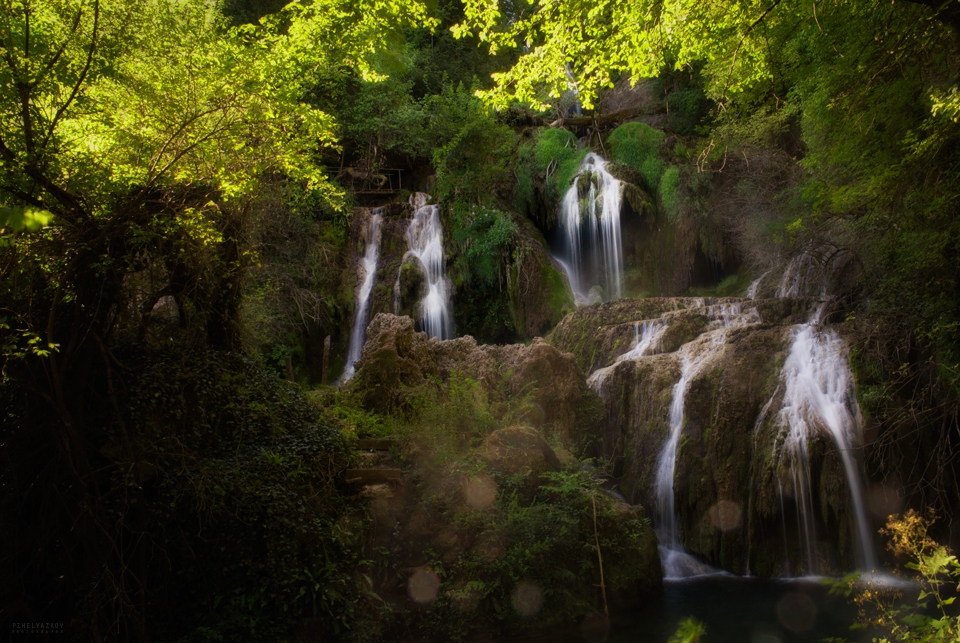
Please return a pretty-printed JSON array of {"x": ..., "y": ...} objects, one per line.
[{"x": 250, "y": 538}]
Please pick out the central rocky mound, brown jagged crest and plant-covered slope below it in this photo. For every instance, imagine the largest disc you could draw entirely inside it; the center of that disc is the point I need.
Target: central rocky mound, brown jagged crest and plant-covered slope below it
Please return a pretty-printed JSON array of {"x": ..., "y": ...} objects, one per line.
[{"x": 462, "y": 509}]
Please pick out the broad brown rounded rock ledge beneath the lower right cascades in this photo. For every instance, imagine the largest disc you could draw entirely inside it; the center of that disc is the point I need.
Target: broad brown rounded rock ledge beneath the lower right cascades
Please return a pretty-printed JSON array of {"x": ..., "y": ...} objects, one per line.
[{"x": 729, "y": 471}]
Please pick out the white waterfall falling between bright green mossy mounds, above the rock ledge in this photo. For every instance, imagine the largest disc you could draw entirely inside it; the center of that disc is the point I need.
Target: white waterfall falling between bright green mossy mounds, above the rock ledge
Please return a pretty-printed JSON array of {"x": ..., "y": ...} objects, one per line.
[{"x": 590, "y": 248}]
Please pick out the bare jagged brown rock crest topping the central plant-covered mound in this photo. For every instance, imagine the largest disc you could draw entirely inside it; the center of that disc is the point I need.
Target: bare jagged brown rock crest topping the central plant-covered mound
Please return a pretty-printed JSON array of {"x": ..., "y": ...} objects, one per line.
[{"x": 396, "y": 360}]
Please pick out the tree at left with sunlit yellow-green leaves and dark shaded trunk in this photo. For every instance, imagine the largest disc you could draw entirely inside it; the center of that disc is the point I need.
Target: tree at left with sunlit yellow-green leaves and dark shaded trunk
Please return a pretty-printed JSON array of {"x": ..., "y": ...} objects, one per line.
[{"x": 147, "y": 129}]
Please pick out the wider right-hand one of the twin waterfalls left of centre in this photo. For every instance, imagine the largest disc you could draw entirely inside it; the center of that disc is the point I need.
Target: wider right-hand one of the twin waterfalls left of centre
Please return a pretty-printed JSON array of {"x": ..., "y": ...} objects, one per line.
[{"x": 425, "y": 239}]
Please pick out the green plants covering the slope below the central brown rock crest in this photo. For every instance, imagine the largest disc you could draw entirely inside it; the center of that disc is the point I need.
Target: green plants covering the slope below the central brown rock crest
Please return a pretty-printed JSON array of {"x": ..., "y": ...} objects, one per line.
[{"x": 537, "y": 531}]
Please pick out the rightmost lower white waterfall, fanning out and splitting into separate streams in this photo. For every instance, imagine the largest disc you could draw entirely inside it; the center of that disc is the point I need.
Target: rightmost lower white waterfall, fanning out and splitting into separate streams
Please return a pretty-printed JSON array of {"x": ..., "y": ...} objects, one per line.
[{"x": 819, "y": 396}]
